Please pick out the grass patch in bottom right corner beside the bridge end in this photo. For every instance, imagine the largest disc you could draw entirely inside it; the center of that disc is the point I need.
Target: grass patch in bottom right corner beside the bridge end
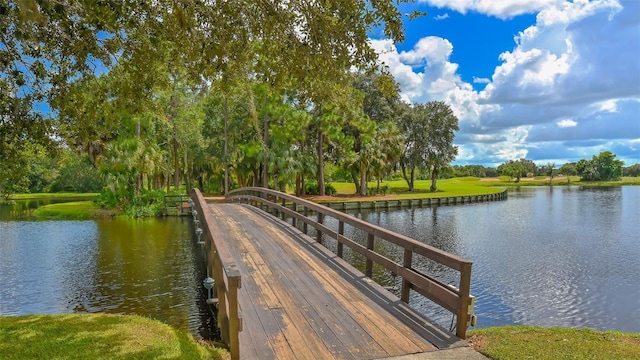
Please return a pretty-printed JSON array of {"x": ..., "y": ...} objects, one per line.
[{"x": 526, "y": 342}]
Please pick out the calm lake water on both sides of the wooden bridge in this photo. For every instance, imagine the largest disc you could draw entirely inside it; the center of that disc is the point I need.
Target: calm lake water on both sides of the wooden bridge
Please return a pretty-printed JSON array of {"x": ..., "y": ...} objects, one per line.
[{"x": 561, "y": 256}]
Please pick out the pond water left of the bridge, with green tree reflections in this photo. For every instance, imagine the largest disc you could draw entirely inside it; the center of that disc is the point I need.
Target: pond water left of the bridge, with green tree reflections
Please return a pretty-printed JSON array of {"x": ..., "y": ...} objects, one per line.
[{"x": 148, "y": 267}]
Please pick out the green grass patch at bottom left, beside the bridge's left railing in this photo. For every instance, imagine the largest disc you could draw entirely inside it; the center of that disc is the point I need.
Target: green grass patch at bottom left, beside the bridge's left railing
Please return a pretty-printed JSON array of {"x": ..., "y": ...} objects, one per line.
[{"x": 96, "y": 336}]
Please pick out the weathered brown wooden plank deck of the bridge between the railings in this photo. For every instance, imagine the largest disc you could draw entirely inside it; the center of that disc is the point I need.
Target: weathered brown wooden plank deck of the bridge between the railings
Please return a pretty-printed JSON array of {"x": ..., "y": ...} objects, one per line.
[{"x": 298, "y": 300}]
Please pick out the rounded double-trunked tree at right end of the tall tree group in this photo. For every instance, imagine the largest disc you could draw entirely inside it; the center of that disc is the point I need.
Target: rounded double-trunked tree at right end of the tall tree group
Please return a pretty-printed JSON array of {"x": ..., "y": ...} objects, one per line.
[{"x": 429, "y": 132}]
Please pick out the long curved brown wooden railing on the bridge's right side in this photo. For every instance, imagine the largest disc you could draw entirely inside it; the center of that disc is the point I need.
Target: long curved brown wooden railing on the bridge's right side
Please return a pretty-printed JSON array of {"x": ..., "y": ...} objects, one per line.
[{"x": 456, "y": 300}]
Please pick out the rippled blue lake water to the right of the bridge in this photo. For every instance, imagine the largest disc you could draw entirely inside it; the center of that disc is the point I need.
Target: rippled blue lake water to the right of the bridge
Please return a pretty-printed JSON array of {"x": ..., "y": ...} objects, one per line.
[{"x": 561, "y": 256}]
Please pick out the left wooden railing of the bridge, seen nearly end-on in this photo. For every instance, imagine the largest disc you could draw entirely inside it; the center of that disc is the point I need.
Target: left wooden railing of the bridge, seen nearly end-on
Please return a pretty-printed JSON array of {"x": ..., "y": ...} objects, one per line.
[{"x": 226, "y": 274}]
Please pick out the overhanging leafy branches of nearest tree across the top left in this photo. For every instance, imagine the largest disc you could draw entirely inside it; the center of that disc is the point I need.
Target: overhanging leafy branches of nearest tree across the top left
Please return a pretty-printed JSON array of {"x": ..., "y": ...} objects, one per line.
[{"x": 47, "y": 46}]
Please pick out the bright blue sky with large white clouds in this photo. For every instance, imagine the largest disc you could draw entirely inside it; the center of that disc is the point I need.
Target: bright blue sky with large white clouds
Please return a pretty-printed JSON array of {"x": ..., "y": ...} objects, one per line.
[{"x": 552, "y": 81}]
